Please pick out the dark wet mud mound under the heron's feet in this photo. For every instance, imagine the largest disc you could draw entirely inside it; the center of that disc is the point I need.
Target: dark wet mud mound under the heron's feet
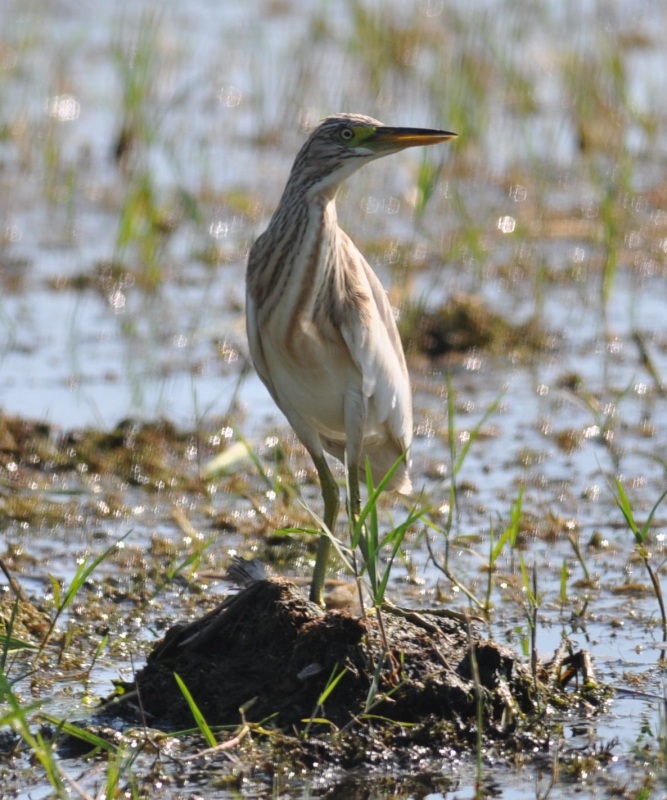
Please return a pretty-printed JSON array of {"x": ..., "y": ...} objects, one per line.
[{"x": 267, "y": 652}]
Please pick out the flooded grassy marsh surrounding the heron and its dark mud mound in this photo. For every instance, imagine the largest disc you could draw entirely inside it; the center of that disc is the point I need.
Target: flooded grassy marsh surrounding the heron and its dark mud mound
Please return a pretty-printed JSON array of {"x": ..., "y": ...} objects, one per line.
[{"x": 141, "y": 150}]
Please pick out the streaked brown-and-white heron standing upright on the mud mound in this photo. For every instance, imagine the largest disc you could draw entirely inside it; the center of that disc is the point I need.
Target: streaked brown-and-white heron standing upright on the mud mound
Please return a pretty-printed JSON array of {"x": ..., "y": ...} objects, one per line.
[{"x": 321, "y": 332}]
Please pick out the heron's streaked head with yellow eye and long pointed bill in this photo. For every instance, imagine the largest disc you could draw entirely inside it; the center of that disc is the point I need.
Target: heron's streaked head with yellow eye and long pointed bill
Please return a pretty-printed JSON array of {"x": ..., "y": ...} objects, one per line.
[{"x": 343, "y": 143}]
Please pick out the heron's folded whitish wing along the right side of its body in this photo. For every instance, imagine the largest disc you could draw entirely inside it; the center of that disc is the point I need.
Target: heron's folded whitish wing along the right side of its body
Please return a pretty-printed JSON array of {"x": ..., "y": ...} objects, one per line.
[{"x": 376, "y": 349}]
